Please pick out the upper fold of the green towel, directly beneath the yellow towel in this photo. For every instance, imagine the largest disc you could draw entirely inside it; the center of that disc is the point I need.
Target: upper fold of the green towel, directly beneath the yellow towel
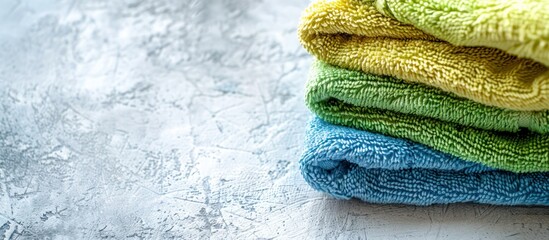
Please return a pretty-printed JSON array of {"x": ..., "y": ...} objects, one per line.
[{"x": 330, "y": 83}]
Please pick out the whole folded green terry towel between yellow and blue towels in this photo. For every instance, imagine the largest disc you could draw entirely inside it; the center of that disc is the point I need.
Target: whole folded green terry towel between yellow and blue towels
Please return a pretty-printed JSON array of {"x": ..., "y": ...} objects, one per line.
[{"x": 430, "y": 116}]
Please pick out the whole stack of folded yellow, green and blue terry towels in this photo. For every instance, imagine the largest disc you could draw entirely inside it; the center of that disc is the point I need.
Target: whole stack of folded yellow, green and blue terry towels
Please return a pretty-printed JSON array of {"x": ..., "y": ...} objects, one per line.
[{"x": 426, "y": 102}]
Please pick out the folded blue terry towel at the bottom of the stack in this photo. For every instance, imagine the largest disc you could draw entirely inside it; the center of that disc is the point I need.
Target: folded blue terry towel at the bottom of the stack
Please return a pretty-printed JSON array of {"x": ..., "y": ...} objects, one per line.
[{"x": 349, "y": 163}]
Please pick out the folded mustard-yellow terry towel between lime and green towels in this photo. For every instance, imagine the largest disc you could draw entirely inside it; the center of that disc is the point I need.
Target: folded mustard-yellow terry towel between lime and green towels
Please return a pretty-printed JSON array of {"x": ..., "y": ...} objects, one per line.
[{"x": 352, "y": 34}]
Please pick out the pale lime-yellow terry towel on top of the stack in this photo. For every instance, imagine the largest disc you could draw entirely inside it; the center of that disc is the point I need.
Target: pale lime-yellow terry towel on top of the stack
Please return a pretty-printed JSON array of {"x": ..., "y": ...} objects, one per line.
[{"x": 519, "y": 27}]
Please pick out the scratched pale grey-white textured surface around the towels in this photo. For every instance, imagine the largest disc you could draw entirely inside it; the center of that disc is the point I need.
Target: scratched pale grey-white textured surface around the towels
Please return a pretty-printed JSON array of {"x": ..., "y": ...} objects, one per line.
[{"x": 179, "y": 119}]
